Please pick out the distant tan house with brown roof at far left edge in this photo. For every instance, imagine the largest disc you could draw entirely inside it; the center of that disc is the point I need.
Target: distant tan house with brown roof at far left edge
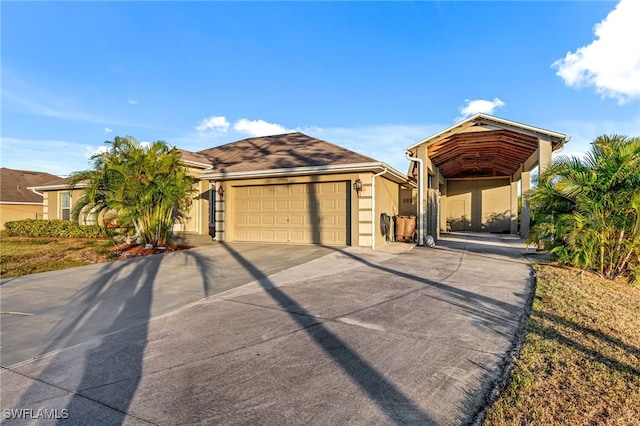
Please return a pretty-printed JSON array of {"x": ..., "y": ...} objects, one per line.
[{"x": 16, "y": 200}]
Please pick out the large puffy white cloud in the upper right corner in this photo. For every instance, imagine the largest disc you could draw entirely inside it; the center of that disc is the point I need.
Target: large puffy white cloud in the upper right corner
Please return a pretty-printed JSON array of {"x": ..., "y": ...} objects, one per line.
[{"x": 611, "y": 63}]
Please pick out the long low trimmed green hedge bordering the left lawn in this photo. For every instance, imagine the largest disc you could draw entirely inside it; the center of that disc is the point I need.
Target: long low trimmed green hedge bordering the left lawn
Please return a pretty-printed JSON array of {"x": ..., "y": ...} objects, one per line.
[{"x": 55, "y": 228}]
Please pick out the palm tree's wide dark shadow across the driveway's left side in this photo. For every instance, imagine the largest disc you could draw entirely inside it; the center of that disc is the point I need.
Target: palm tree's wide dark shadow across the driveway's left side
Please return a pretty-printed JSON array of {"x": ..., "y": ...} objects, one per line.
[{"x": 120, "y": 297}]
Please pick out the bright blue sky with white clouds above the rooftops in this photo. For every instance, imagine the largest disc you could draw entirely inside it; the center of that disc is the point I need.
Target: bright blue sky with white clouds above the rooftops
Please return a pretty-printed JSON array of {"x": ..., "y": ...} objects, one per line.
[{"x": 374, "y": 77}]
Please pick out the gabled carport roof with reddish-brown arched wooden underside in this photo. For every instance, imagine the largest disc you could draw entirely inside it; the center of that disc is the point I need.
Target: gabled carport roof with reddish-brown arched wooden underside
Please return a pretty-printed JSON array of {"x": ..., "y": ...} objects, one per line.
[{"x": 484, "y": 145}]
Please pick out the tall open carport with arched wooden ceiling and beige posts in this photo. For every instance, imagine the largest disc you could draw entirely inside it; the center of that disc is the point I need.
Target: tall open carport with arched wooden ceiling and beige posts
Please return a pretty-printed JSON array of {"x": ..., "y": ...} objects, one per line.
[{"x": 471, "y": 173}]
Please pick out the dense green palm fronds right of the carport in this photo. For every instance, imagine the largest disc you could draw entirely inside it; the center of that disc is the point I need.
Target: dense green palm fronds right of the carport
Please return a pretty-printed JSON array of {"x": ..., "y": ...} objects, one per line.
[{"x": 590, "y": 208}]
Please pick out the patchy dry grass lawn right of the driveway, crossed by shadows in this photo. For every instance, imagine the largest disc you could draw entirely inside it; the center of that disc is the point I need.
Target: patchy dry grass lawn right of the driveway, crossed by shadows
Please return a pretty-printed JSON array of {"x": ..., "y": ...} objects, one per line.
[{"x": 580, "y": 362}]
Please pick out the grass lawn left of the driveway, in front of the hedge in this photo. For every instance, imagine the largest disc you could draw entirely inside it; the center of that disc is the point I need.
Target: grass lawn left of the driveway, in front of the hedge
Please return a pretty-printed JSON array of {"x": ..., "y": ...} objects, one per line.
[{"x": 23, "y": 256}]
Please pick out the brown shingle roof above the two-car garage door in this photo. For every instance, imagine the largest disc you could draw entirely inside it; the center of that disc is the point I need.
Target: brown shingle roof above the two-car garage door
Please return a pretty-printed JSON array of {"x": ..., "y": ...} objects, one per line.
[{"x": 289, "y": 150}]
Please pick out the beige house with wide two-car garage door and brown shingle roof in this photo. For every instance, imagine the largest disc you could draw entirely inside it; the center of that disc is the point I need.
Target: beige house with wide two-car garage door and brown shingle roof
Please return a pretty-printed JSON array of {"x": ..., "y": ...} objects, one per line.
[{"x": 289, "y": 188}]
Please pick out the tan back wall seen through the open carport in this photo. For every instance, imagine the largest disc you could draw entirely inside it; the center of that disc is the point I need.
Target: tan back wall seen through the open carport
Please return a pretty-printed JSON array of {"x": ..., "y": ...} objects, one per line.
[{"x": 478, "y": 204}]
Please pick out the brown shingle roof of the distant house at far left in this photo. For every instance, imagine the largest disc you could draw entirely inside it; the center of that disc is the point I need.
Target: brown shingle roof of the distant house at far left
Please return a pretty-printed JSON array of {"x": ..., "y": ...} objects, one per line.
[{"x": 14, "y": 183}]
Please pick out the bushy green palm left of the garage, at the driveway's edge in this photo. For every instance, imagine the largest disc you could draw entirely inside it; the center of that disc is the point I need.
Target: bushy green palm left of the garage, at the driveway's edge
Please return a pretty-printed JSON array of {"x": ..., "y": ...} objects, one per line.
[{"x": 142, "y": 186}]
